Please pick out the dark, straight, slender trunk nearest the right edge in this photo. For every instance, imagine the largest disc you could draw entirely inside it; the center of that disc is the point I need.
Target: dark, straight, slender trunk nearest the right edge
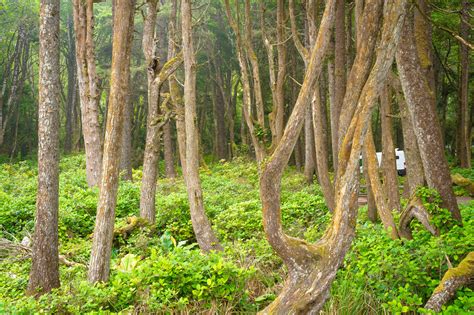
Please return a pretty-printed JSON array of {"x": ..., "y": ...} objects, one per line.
[{"x": 464, "y": 128}]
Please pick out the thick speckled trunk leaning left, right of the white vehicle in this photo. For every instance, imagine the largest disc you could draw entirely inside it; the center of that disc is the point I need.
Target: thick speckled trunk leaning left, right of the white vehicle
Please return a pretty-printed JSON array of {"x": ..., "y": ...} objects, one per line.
[{"x": 421, "y": 106}]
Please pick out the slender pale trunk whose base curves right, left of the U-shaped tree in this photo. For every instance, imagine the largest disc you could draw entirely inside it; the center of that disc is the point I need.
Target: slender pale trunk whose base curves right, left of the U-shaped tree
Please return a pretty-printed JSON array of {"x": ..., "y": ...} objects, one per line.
[{"x": 202, "y": 228}]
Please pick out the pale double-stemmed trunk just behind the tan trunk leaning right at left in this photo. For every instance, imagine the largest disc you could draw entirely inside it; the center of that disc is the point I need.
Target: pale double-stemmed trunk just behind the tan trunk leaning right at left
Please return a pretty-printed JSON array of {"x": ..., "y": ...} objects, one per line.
[{"x": 88, "y": 89}]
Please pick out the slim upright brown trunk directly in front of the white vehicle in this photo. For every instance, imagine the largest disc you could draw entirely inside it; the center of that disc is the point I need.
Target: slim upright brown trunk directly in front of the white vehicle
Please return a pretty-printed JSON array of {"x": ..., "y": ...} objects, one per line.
[{"x": 389, "y": 164}]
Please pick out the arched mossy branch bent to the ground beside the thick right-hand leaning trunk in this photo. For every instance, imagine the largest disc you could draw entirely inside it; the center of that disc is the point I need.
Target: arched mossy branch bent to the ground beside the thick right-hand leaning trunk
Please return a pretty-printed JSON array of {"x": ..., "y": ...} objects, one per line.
[{"x": 415, "y": 209}]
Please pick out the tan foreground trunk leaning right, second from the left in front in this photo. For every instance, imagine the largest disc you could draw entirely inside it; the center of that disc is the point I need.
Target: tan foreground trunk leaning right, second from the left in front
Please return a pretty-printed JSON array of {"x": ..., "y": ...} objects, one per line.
[{"x": 99, "y": 266}]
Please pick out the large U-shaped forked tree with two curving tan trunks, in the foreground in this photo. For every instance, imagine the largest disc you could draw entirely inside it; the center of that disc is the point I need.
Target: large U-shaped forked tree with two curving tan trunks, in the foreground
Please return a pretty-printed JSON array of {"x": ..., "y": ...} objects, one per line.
[{"x": 313, "y": 267}]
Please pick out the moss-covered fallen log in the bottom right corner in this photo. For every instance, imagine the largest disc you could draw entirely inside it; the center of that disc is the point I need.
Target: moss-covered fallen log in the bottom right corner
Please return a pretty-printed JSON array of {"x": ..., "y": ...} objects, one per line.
[{"x": 452, "y": 280}]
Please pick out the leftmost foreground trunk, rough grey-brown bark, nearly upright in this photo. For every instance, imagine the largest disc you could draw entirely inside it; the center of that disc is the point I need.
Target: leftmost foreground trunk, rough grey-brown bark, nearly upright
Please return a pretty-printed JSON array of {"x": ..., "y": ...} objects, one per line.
[{"x": 44, "y": 274}]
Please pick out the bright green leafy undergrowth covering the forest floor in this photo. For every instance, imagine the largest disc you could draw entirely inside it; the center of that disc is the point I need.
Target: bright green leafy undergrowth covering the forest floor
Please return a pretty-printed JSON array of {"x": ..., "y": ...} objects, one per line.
[{"x": 159, "y": 269}]
